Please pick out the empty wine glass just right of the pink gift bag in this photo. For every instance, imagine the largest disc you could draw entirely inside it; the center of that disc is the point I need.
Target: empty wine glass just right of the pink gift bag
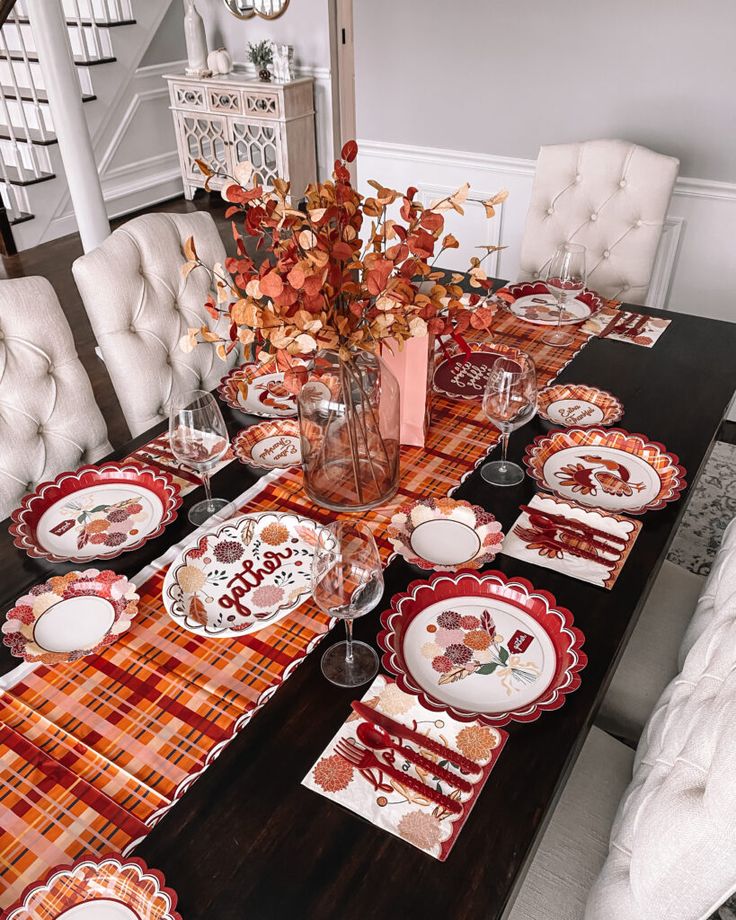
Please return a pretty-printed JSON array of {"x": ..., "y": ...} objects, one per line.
[{"x": 509, "y": 401}]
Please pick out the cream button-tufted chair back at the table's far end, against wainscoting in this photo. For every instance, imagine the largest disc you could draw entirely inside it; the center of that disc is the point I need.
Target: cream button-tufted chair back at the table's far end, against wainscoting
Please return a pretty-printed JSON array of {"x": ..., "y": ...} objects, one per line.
[{"x": 609, "y": 195}]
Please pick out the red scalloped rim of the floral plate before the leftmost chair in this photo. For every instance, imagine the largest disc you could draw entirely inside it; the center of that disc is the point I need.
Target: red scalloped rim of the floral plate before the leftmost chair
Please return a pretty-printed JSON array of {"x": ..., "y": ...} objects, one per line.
[{"x": 21, "y": 532}]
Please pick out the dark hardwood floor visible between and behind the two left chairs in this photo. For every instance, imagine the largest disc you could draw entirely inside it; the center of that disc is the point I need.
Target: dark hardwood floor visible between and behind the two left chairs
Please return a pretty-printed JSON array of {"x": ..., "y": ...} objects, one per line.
[{"x": 54, "y": 261}]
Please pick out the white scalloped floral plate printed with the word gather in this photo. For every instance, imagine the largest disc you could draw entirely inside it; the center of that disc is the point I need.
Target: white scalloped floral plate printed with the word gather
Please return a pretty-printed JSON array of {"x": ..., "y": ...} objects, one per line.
[{"x": 243, "y": 575}]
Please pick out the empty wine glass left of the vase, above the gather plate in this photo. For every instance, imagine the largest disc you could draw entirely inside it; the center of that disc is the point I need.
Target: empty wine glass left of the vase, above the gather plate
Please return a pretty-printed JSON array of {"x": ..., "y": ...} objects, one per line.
[{"x": 198, "y": 438}]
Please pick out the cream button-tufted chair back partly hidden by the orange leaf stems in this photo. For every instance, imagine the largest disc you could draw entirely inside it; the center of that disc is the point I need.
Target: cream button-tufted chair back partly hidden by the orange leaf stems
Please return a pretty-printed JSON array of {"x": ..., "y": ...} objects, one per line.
[{"x": 140, "y": 306}]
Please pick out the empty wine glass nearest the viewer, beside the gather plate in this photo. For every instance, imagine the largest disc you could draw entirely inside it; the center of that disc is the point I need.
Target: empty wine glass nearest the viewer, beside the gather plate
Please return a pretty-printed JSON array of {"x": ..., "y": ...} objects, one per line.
[{"x": 347, "y": 582}]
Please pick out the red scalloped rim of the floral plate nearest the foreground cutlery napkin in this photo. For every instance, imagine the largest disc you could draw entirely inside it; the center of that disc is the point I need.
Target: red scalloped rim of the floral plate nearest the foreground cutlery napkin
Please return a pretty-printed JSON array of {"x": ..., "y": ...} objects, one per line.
[{"x": 534, "y": 709}]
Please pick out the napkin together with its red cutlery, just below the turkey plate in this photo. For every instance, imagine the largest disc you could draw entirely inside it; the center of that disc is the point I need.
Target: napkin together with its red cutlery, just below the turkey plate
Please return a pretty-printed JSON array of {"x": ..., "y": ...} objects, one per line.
[{"x": 534, "y": 542}]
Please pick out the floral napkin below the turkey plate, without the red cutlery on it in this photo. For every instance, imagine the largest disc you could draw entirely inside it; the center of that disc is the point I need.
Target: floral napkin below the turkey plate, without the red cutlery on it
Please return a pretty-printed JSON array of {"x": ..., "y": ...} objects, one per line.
[{"x": 540, "y": 552}]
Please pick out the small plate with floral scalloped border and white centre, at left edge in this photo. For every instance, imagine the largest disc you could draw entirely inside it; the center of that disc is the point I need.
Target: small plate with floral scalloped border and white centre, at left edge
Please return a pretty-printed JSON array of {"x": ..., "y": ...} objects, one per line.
[{"x": 70, "y": 616}]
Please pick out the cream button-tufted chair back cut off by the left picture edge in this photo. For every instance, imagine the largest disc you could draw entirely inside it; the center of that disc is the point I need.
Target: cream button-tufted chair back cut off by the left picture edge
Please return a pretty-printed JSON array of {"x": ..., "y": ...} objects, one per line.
[{"x": 49, "y": 420}]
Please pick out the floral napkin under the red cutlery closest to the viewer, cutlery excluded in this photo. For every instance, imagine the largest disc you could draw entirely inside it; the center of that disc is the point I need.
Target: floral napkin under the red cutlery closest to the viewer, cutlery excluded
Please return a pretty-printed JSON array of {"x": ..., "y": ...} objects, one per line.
[{"x": 386, "y": 802}]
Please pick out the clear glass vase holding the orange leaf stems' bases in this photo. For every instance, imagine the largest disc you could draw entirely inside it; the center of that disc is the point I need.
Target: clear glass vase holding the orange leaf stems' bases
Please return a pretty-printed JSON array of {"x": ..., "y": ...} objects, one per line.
[{"x": 349, "y": 421}]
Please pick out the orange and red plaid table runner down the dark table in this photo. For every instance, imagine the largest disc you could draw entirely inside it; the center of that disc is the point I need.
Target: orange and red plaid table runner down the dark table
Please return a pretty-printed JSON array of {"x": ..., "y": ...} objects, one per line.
[{"x": 93, "y": 753}]
